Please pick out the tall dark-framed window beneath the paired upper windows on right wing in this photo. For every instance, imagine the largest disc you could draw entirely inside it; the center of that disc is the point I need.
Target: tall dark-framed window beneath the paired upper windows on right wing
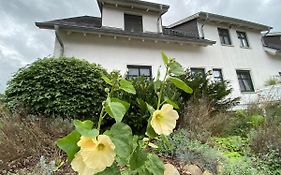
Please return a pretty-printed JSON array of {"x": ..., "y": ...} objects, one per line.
[{"x": 245, "y": 81}]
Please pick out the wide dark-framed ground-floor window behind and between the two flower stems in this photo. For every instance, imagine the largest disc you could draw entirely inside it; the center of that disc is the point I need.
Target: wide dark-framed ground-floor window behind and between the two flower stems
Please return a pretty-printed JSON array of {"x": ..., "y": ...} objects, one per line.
[{"x": 136, "y": 71}]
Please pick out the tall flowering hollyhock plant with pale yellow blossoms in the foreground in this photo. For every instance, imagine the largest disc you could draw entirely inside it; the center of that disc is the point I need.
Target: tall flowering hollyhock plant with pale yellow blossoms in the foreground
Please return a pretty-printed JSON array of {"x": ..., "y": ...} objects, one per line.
[{"x": 117, "y": 151}]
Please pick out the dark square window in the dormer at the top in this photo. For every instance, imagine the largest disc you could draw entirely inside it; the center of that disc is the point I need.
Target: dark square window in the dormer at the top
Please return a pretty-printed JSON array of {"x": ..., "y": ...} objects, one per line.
[{"x": 133, "y": 23}]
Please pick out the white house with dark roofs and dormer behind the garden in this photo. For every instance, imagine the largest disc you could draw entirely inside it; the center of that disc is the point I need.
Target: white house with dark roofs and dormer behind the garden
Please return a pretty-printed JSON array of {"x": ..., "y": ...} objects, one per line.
[{"x": 129, "y": 37}]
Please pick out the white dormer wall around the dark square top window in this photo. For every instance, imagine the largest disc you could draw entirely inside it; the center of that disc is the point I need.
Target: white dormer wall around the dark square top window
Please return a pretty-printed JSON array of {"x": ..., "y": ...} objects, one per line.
[{"x": 114, "y": 17}]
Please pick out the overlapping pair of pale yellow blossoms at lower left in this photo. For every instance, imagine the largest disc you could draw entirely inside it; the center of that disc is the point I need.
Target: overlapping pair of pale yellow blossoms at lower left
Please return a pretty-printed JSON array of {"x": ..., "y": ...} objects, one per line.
[{"x": 94, "y": 156}]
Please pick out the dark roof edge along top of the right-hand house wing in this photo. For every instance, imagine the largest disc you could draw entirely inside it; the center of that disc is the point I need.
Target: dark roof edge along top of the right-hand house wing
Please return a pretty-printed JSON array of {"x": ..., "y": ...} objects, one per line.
[{"x": 210, "y": 17}]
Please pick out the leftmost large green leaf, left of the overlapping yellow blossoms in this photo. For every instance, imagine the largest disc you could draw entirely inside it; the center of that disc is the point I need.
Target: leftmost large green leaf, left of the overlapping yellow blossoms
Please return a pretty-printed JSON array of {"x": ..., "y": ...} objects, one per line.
[{"x": 69, "y": 144}]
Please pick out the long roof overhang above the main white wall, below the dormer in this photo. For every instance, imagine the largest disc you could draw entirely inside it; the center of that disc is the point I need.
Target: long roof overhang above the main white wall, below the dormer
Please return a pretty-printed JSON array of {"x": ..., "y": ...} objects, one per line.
[{"x": 124, "y": 34}]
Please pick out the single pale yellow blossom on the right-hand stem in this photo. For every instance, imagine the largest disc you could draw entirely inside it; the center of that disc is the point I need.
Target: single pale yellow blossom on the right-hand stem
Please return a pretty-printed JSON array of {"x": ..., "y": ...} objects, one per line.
[{"x": 164, "y": 121}]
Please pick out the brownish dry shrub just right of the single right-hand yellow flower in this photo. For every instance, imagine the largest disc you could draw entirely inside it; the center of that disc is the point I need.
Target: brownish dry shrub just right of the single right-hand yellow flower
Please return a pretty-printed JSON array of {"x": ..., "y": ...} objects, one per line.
[{"x": 202, "y": 122}]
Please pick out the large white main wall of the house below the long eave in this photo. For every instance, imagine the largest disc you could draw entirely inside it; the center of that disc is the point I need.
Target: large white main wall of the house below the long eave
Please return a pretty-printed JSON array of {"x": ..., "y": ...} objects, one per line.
[{"x": 118, "y": 53}]
